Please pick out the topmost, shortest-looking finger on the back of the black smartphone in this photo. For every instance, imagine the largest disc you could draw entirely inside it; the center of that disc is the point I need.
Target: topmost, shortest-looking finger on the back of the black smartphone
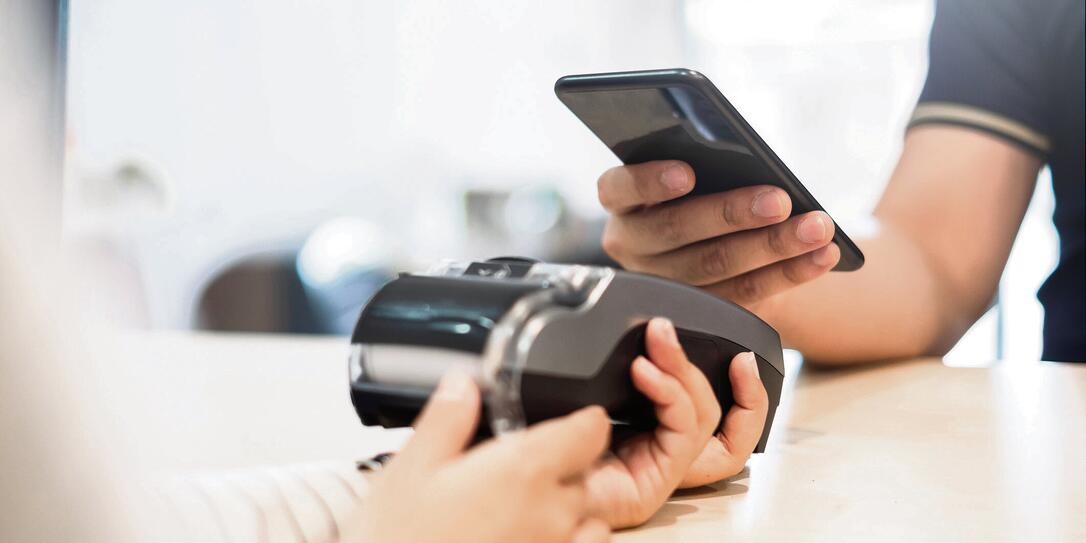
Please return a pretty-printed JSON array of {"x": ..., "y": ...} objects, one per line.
[{"x": 627, "y": 188}]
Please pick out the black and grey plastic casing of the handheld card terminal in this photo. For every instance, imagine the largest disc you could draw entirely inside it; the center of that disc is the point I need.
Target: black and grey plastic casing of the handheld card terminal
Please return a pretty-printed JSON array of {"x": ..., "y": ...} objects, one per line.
[{"x": 577, "y": 358}]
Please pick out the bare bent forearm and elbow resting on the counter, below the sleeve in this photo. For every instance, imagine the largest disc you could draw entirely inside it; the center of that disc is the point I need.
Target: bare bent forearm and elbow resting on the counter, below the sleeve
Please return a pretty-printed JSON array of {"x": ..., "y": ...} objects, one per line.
[{"x": 948, "y": 221}]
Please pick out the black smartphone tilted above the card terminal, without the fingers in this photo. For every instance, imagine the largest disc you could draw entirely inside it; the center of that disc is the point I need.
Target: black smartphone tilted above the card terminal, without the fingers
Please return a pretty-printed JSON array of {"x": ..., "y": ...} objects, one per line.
[{"x": 679, "y": 115}]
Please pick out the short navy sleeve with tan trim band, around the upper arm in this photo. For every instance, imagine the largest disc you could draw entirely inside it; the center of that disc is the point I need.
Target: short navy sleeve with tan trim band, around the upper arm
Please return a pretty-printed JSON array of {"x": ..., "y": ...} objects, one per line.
[{"x": 991, "y": 68}]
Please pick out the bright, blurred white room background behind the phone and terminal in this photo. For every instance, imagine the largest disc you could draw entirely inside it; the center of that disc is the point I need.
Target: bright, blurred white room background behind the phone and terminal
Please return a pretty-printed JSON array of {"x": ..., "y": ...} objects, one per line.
[{"x": 266, "y": 166}]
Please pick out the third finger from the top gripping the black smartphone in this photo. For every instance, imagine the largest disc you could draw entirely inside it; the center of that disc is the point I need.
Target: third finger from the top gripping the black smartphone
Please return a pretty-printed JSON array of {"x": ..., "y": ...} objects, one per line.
[{"x": 728, "y": 257}]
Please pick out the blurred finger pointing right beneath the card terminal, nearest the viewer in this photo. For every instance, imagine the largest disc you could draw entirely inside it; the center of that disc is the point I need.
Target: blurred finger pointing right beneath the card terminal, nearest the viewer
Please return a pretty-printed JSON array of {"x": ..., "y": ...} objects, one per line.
[{"x": 569, "y": 446}]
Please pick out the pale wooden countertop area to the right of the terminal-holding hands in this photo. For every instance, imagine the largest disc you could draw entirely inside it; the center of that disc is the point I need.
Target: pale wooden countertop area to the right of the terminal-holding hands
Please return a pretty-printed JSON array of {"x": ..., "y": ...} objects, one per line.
[{"x": 913, "y": 451}]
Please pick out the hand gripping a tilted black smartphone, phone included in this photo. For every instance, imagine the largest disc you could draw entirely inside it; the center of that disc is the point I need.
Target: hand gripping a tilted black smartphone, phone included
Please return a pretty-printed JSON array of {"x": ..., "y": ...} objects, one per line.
[{"x": 702, "y": 198}]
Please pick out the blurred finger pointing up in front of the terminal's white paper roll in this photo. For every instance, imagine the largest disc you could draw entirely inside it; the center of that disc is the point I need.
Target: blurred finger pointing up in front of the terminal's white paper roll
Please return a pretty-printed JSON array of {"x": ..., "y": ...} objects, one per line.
[{"x": 447, "y": 424}]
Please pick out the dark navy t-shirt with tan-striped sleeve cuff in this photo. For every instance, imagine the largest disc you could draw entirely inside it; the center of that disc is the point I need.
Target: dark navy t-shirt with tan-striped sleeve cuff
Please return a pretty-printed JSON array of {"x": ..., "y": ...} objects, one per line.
[{"x": 1015, "y": 69}]
